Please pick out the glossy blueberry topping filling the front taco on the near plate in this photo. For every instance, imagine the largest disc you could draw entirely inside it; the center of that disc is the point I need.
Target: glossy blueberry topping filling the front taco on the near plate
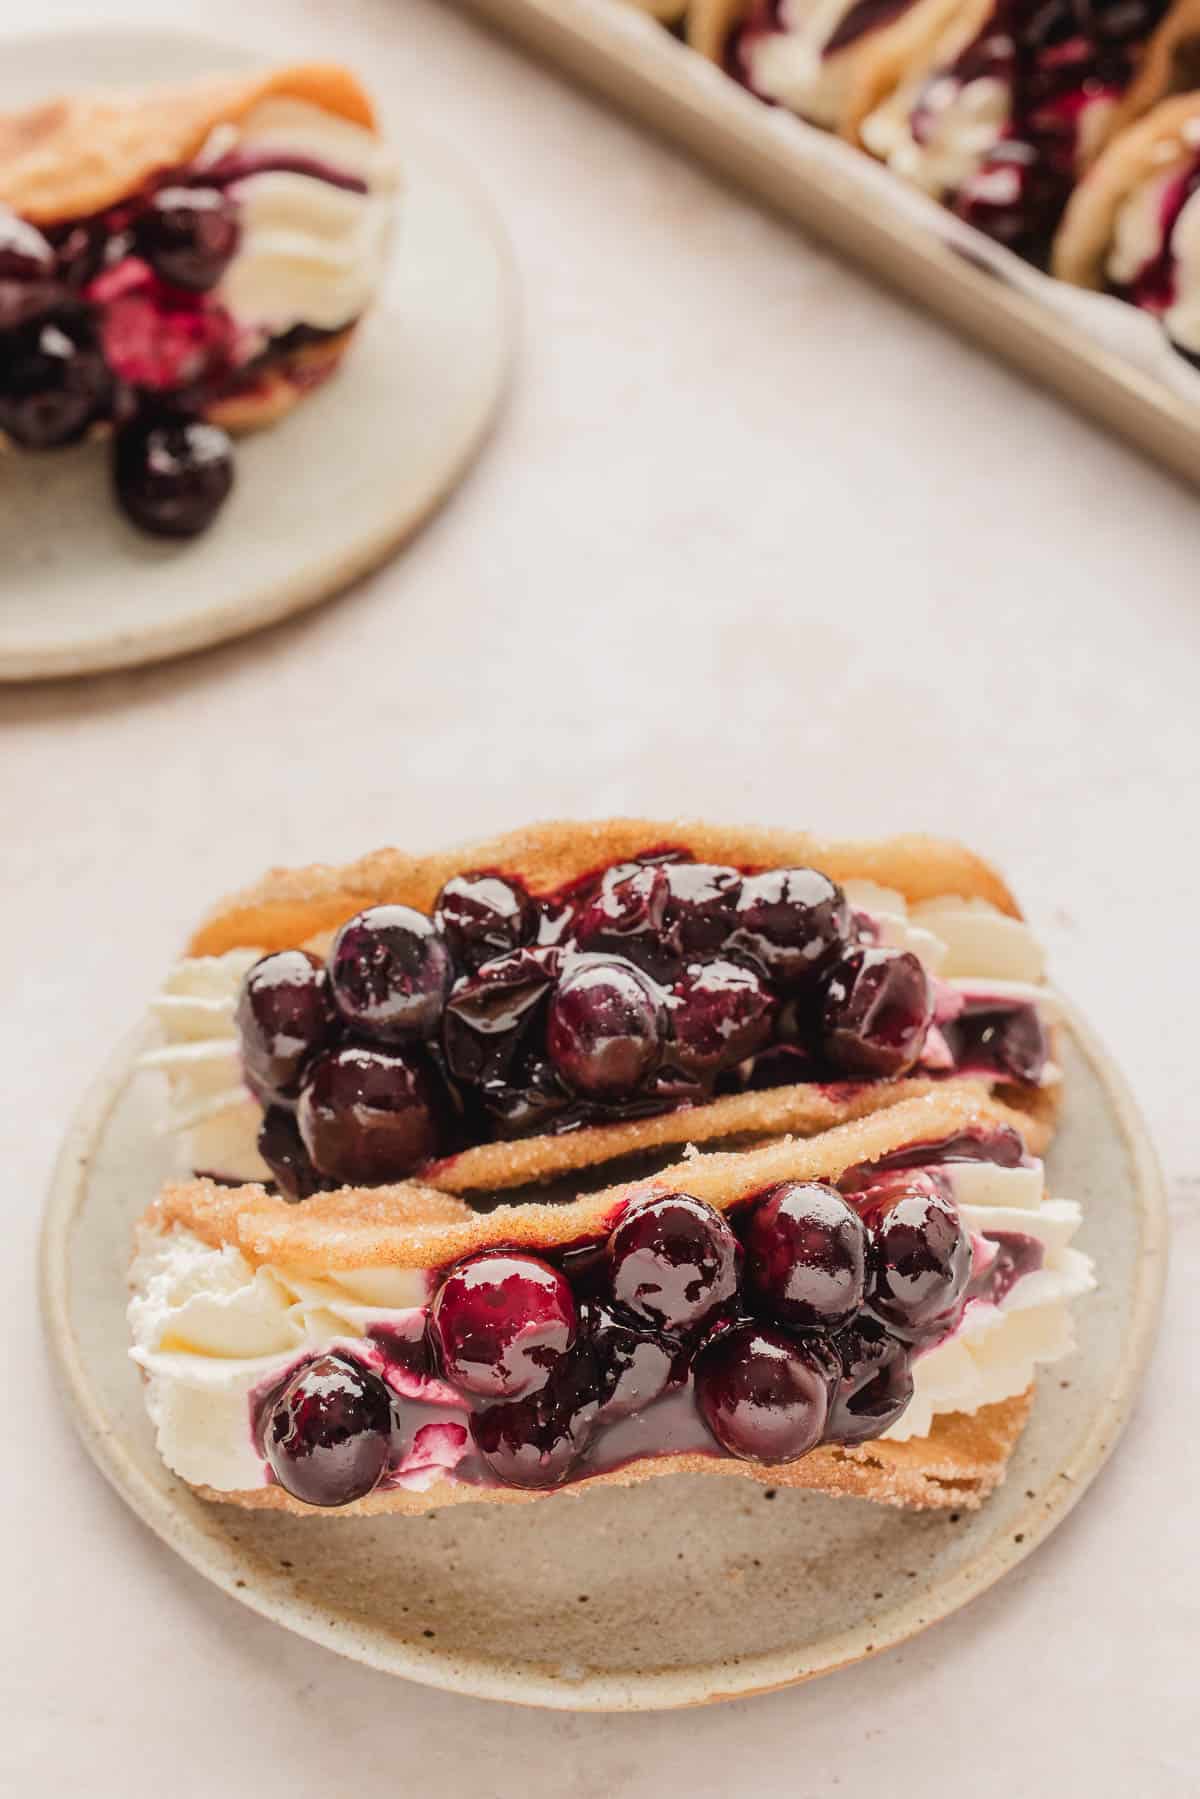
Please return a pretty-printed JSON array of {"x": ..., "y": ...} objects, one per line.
[{"x": 760, "y": 1334}]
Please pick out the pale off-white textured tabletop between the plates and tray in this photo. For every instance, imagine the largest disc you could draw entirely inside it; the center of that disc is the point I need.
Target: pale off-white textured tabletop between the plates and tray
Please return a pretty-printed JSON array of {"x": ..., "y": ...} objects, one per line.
[{"x": 755, "y": 542}]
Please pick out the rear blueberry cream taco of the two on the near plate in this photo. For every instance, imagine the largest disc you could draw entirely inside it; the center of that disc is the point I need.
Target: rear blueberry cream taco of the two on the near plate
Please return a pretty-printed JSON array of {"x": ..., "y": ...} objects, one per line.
[{"x": 575, "y": 994}]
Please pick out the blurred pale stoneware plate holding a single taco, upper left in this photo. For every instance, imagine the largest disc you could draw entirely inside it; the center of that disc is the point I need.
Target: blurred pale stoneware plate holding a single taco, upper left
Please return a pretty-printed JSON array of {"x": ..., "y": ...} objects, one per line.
[{"x": 323, "y": 497}]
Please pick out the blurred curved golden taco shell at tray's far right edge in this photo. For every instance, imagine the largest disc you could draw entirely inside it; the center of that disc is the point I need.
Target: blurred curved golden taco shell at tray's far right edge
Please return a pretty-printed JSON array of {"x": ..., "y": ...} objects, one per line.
[{"x": 1167, "y": 141}]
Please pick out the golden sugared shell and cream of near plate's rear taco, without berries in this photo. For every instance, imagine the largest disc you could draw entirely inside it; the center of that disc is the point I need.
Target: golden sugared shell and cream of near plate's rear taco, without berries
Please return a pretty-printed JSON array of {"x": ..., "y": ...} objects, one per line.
[{"x": 926, "y": 893}]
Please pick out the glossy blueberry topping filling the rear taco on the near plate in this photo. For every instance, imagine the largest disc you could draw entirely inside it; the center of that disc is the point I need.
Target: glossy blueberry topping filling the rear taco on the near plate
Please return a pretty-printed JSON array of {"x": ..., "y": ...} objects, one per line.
[{"x": 641, "y": 989}]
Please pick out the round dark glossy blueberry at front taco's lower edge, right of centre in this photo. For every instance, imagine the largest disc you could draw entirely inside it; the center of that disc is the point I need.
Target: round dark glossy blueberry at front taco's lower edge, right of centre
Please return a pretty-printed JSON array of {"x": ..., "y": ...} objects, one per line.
[{"x": 762, "y": 1393}]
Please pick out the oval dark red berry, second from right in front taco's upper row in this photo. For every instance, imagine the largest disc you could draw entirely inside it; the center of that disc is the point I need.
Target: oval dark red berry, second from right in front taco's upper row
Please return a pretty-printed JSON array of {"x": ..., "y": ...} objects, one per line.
[{"x": 807, "y": 1255}]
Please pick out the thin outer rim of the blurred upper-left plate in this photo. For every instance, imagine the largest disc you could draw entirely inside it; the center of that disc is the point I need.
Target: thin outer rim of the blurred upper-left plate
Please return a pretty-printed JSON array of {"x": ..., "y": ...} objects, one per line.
[{"x": 310, "y": 586}]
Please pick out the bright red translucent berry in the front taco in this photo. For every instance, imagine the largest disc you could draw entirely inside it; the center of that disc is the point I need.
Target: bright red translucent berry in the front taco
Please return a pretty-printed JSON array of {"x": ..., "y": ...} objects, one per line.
[{"x": 501, "y": 1321}]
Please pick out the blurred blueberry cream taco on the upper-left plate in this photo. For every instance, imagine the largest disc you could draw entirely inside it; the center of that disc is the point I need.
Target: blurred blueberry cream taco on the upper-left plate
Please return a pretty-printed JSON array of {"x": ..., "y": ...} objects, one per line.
[{"x": 181, "y": 264}]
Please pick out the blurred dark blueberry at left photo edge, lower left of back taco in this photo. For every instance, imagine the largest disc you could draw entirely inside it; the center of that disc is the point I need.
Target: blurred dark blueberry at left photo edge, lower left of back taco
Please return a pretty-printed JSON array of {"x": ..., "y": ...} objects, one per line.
[{"x": 53, "y": 380}]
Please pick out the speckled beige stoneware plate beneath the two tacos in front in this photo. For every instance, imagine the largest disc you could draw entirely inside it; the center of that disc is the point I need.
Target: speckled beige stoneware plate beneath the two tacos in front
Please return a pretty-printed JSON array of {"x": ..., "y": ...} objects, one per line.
[{"x": 591, "y": 1602}]
